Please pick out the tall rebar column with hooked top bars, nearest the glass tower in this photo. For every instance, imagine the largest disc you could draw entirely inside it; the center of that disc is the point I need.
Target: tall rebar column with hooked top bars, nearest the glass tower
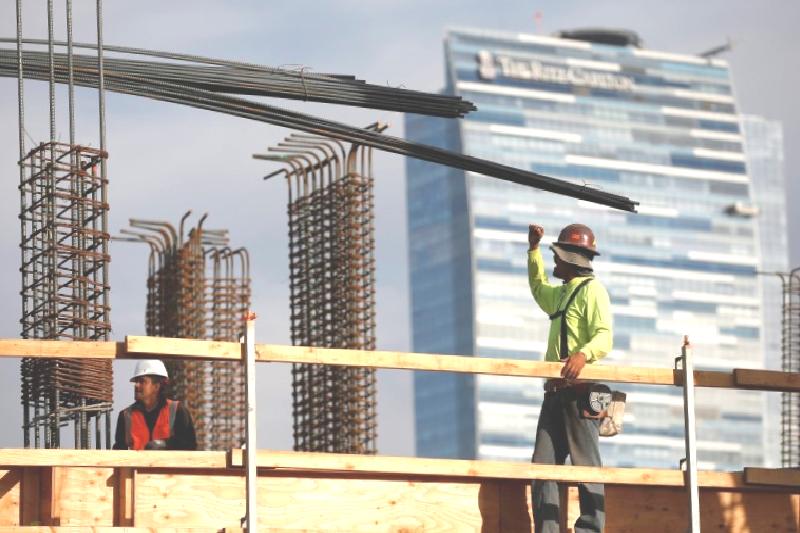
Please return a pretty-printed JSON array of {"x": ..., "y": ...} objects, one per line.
[{"x": 332, "y": 288}]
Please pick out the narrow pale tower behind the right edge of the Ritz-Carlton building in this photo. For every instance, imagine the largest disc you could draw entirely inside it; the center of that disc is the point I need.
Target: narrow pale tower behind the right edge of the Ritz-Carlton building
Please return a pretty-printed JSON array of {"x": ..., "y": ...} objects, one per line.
[{"x": 764, "y": 148}]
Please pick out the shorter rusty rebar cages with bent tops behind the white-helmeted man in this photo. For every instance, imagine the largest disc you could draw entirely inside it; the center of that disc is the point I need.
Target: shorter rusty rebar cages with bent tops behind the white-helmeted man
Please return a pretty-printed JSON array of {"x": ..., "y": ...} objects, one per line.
[{"x": 198, "y": 288}]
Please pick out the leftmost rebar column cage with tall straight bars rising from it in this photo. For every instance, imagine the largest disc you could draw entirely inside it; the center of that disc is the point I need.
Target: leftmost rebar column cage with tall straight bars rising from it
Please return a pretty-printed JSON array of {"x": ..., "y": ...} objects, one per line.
[{"x": 65, "y": 294}]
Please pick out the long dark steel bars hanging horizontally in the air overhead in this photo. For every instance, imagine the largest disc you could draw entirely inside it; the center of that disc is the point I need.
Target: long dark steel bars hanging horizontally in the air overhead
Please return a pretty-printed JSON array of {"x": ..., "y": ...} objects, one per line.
[{"x": 214, "y": 91}]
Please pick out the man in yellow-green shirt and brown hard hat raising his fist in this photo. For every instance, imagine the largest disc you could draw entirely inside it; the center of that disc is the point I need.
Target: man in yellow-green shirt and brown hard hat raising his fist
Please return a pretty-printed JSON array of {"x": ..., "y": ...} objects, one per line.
[{"x": 580, "y": 334}]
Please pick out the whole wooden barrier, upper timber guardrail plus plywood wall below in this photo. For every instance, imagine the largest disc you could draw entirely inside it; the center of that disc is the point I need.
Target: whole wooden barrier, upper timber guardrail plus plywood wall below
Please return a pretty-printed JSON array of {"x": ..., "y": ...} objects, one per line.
[{"x": 60, "y": 490}]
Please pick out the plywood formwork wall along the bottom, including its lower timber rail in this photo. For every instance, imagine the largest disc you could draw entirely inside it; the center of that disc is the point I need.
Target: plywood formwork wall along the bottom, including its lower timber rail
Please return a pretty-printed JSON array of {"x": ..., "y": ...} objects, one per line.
[{"x": 204, "y": 491}]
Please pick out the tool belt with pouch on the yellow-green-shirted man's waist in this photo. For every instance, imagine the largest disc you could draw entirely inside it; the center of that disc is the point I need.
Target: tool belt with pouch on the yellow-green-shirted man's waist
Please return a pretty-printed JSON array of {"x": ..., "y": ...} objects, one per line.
[{"x": 595, "y": 401}]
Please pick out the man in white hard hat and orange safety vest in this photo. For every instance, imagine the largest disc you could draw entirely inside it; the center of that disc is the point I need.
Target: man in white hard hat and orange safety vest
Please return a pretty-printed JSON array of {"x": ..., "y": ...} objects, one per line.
[{"x": 154, "y": 422}]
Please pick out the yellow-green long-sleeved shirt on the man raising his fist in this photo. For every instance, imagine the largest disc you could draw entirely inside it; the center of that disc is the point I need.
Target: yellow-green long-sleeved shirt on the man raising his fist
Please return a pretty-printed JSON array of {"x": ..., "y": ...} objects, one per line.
[{"x": 589, "y": 322}]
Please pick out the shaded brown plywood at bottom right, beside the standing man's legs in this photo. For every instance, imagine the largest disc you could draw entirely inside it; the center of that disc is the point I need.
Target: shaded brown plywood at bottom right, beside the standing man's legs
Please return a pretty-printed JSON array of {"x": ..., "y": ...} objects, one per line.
[{"x": 663, "y": 509}]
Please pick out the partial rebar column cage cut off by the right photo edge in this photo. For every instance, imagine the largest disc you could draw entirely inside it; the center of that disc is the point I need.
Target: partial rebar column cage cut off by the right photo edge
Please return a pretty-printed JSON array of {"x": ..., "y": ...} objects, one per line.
[{"x": 790, "y": 401}]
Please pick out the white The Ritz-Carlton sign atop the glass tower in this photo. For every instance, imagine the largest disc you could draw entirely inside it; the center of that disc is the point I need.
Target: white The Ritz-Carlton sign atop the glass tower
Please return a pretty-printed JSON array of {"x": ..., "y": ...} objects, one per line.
[{"x": 523, "y": 69}]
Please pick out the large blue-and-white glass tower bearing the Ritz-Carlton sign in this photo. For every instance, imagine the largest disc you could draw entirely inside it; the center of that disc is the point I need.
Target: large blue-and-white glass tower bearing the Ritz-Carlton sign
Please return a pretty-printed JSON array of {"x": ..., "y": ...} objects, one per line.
[{"x": 591, "y": 107}]
